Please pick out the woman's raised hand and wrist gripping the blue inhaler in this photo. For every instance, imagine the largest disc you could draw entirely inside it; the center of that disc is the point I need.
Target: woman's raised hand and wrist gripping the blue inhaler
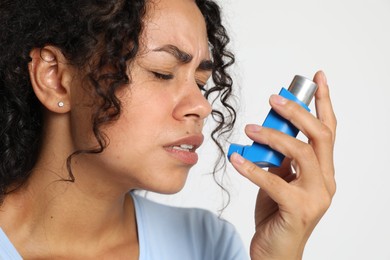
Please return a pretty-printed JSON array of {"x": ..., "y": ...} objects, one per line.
[{"x": 290, "y": 204}]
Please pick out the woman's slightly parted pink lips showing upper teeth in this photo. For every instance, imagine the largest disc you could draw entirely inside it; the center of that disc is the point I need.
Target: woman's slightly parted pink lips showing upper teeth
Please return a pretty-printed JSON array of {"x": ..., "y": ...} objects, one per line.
[{"x": 184, "y": 149}]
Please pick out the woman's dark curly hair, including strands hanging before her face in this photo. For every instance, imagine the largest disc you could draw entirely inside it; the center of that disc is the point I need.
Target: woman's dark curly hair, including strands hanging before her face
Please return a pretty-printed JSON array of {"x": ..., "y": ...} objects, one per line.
[{"x": 79, "y": 28}]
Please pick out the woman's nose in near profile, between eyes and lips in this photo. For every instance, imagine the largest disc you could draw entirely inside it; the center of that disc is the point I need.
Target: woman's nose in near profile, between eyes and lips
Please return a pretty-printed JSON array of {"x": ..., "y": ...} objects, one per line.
[{"x": 192, "y": 104}]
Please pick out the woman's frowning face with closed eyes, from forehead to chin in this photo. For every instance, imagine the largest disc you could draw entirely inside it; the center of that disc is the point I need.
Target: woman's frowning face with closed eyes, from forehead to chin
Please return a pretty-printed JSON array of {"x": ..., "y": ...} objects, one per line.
[{"x": 152, "y": 145}]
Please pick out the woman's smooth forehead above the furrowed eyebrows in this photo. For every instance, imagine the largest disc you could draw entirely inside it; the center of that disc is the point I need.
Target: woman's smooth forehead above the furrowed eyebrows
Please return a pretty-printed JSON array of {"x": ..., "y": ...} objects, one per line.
[{"x": 175, "y": 22}]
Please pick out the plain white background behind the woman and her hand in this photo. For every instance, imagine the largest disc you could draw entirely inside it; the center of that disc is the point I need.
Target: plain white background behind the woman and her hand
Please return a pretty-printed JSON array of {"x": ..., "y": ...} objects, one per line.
[{"x": 350, "y": 41}]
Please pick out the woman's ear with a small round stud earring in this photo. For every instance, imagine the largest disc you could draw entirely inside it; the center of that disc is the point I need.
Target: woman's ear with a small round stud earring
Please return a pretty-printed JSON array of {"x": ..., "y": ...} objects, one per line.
[{"x": 51, "y": 77}]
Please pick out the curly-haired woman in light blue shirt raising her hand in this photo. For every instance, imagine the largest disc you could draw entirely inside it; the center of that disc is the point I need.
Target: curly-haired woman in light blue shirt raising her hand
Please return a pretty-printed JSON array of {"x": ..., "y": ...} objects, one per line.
[{"x": 99, "y": 98}]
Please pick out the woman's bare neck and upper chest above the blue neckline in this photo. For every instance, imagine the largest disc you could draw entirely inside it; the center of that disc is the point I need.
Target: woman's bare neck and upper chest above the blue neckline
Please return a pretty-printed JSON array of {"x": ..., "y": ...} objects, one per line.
[{"x": 91, "y": 215}]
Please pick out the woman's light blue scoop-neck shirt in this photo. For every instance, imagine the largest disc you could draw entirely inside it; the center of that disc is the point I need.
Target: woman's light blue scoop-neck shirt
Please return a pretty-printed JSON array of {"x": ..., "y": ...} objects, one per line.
[{"x": 173, "y": 233}]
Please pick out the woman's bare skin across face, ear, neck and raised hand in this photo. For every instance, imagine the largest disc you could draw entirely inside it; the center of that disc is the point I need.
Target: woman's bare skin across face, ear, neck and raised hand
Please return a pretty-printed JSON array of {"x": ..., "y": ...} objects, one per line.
[{"x": 93, "y": 218}]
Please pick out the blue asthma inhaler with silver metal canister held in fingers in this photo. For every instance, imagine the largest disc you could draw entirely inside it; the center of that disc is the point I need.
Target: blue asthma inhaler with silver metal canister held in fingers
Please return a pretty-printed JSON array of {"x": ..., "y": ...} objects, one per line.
[{"x": 301, "y": 91}]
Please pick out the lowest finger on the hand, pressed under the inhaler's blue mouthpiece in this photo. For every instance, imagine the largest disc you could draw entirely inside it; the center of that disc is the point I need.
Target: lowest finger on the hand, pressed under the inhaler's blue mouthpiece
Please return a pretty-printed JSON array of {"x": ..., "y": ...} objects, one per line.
[{"x": 272, "y": 184}]
